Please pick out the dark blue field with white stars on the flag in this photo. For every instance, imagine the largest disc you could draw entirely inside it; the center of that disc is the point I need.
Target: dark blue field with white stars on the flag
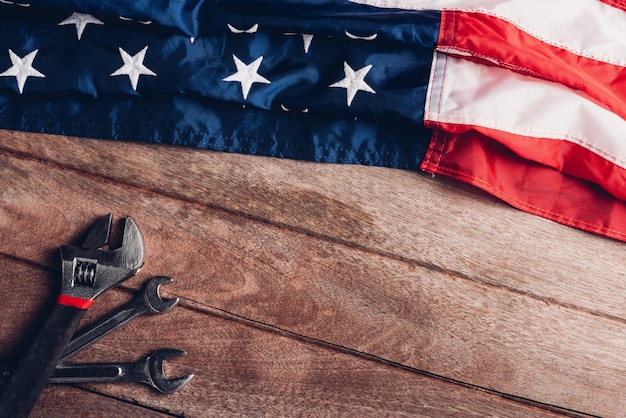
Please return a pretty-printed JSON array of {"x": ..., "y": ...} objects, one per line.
[{"x": 314, "y": 80}]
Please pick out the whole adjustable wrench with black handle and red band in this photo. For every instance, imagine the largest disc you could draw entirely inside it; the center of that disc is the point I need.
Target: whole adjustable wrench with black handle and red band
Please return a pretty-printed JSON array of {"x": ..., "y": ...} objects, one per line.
[{"x": 87, "y": 271}]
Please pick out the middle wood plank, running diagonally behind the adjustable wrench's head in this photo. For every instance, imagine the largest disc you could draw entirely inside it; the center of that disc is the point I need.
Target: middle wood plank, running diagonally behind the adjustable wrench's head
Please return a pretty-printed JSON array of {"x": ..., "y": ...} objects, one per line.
[{"x": 422, "y": 318}]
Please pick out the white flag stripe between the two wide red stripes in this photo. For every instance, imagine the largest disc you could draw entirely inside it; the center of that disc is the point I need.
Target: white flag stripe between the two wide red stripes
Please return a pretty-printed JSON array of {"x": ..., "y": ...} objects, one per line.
[{"x": 467, "y": 93}]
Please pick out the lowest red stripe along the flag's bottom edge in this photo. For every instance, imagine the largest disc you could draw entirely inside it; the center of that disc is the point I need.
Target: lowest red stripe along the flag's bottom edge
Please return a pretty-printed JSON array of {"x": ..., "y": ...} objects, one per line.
[{"x": 478, "y": 160}]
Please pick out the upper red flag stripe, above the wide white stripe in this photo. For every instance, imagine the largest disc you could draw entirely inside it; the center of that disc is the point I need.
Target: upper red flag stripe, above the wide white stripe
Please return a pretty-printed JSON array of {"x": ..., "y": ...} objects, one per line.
[{"x": 490, "y": 40}]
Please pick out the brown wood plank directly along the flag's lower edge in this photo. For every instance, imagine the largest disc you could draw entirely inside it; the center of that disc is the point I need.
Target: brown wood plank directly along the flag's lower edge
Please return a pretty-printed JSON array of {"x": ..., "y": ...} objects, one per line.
[{"x": 429, "y": 222}]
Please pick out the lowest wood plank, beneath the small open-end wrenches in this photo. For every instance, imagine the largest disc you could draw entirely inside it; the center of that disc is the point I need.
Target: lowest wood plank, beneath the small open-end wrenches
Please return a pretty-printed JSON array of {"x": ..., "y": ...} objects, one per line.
[{"x": 243, "y": 370}]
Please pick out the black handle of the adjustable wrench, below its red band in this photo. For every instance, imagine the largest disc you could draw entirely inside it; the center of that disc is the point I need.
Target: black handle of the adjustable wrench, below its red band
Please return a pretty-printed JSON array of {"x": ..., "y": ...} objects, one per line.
[{"x": 20, "y": 391}]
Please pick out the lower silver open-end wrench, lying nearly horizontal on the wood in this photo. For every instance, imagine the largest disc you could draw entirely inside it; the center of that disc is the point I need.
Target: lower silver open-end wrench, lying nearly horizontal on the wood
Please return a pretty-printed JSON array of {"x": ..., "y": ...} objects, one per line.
[{"x": 148, "y": 370}]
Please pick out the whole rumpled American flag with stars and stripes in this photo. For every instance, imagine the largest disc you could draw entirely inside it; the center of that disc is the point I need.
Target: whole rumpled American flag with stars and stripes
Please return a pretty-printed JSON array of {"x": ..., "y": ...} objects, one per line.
[{"x": 523, "y": 98}]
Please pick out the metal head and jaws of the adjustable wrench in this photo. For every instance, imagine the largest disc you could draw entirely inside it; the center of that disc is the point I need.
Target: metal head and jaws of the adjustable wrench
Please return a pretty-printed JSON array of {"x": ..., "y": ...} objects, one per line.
[{"x": 89, "y": 270}]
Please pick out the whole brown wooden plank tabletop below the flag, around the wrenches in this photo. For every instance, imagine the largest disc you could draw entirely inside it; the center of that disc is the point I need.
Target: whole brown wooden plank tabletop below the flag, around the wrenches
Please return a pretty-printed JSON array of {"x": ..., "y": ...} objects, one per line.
[{"x": 316, "y": 289}]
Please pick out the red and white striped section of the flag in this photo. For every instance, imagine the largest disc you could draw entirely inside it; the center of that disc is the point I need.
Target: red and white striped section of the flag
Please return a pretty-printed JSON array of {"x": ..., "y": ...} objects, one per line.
[{"x": 527, "y": 100}]
